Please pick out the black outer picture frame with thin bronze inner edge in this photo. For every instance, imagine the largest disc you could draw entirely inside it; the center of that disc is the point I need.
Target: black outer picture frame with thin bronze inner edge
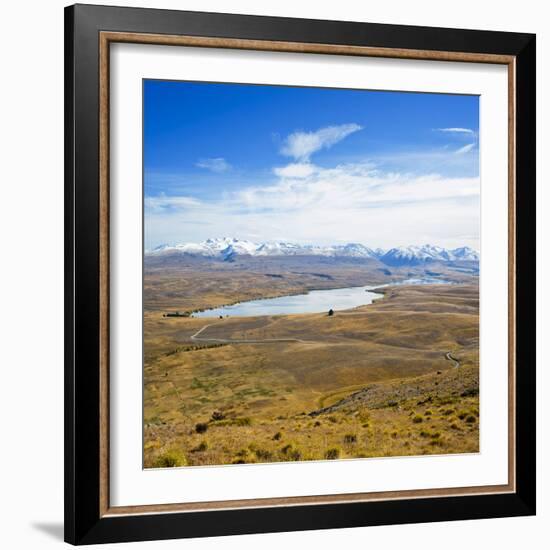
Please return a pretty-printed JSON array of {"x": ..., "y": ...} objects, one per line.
[{"x": 84, "y": 523}]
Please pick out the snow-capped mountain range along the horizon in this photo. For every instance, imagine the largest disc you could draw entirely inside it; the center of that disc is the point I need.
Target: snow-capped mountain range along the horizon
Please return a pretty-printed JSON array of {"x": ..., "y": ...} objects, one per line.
[{"x": 228, "y": 248}]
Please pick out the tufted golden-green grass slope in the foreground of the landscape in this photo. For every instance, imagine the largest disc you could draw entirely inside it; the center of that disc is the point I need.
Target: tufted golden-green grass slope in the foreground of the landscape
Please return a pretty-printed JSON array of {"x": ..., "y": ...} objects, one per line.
[{"x": 444, "y": 420}]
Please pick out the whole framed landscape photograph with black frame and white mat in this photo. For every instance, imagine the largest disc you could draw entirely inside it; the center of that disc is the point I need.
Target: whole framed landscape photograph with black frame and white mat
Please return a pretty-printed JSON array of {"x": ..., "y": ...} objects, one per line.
[{"x": 300, "y": 274}]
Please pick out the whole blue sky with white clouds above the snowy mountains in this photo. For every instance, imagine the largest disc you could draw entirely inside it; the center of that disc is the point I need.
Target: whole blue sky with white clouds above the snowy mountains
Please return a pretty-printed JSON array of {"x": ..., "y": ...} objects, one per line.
[{"x": 313, "y": 165}]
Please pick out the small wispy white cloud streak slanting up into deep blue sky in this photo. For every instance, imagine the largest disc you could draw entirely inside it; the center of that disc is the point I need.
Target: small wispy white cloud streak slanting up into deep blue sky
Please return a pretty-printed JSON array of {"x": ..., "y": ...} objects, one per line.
[{"x": 301, "y": 145}]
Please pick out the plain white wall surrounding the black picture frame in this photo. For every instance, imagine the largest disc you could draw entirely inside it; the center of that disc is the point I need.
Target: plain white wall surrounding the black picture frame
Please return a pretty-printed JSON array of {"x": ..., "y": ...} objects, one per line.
[{"x": 31, "y": 276}]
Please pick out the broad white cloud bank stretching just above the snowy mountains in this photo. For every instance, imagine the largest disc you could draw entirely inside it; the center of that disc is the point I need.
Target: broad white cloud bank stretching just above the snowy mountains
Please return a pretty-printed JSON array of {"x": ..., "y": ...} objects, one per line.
[{"x": 347, "y": 203}]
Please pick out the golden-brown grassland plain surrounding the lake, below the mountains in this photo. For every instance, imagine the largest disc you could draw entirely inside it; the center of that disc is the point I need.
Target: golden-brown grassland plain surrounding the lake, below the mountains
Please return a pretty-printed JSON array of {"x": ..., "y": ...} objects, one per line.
[{"x": 369, "y": 382}]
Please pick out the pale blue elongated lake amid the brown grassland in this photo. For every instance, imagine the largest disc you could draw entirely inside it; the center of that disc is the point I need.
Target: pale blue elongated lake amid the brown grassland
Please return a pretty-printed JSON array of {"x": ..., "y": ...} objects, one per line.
[{"x": 315, "y": 301}]
